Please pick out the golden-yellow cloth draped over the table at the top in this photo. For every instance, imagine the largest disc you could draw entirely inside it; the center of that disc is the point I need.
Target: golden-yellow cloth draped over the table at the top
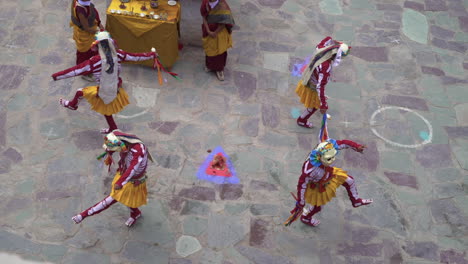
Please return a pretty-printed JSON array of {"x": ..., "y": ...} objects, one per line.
[{"x": 139, "y": 34}]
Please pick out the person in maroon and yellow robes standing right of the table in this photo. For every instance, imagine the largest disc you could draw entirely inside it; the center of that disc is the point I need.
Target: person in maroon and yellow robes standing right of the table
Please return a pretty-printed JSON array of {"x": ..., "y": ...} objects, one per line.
[{"x": 216, "y": 29}]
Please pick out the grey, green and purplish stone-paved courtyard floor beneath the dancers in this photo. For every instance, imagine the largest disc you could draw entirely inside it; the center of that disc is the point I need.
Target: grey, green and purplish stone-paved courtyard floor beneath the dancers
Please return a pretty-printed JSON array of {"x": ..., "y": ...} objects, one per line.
[{"x": 409, "y": 54}]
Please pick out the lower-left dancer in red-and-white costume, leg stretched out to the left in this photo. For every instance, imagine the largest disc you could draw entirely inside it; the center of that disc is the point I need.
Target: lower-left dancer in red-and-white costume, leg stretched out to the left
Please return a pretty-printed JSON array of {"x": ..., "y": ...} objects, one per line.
[{"x": 129, "y": 184}]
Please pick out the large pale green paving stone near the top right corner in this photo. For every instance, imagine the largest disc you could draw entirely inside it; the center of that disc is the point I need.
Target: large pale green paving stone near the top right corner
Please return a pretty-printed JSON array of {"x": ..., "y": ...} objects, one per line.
[{"x": 415, "y": 25}]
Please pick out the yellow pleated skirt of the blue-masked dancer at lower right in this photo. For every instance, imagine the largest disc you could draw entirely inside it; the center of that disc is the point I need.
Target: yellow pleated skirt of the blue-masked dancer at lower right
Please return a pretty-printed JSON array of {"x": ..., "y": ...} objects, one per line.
[{"x": 314, "y": 197}]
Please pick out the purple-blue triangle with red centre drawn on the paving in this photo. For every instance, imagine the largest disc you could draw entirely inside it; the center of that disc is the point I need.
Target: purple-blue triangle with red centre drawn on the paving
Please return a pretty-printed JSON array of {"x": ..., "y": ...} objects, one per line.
[{"x": 223, "y": 176}]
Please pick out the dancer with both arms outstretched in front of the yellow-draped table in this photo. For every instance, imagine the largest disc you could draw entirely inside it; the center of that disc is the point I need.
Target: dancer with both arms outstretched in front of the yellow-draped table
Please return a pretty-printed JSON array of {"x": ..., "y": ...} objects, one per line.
[{"x": 108, "y": 97}]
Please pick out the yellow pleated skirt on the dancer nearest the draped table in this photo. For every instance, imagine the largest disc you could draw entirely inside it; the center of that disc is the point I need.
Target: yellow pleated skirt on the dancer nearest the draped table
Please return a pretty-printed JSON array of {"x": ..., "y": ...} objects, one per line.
[{"x": 90, "y": 93}]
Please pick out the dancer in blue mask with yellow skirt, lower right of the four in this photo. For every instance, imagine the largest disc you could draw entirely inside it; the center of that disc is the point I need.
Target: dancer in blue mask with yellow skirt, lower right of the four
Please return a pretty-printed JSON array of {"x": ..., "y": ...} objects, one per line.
[{"x": 319, "y": 181}]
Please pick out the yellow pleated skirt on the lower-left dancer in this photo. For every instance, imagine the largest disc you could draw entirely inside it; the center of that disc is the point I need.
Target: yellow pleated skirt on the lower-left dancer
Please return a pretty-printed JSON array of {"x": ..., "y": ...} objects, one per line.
[{"x": 130, "y": 195}]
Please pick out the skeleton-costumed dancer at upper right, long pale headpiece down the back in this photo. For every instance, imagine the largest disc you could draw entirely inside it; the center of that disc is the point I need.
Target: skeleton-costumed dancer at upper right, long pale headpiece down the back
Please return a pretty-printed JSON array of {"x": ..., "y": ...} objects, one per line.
[{"x": 311, "y": 88}]
